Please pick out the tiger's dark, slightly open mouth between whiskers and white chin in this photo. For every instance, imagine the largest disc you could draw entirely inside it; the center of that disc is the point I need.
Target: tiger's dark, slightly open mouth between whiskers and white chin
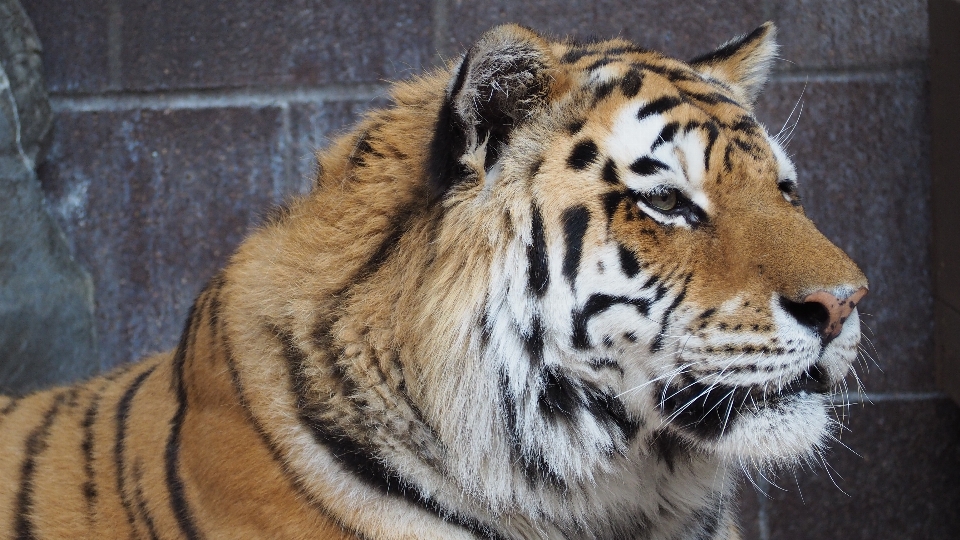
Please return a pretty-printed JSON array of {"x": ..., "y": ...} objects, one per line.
[{"x": 708, "y": 409}]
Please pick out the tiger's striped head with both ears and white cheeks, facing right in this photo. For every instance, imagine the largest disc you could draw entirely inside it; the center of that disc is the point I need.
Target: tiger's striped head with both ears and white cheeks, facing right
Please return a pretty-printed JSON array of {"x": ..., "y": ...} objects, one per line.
[{"x": 663, "y": 280}]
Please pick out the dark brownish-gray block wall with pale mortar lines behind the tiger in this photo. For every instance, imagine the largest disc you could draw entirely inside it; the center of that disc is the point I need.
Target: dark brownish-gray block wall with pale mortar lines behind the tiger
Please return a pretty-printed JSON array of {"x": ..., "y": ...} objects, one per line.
[{"x": 178, "y": 123}]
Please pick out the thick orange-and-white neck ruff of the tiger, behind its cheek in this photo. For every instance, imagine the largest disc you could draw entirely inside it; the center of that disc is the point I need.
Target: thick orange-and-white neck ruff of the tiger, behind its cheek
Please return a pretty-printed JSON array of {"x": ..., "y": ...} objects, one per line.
[{"x": 342, "y": 300}]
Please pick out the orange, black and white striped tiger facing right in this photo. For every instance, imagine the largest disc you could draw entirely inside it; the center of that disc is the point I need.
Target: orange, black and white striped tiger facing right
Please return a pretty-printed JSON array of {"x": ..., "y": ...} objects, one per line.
[{"x": 556, "y": 289}]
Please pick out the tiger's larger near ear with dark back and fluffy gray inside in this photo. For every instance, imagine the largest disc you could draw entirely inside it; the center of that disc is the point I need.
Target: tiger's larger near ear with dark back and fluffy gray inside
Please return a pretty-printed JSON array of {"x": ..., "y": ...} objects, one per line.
[{"x": 497, "y": 85}]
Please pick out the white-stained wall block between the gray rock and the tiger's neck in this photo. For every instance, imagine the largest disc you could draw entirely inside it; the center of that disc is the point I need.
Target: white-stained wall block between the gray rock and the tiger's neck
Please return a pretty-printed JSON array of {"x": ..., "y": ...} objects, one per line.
[{"x": 154, "y": 202}]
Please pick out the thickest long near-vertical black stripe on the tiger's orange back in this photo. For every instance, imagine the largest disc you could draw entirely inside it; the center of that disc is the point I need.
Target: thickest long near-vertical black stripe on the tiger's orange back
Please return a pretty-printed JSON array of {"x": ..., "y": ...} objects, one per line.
[{"x": 178, "y": 500}]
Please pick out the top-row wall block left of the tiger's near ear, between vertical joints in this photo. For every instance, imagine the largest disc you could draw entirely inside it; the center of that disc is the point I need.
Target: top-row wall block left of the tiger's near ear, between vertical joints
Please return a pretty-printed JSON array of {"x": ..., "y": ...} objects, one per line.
[{"x": 192, "y": 43}]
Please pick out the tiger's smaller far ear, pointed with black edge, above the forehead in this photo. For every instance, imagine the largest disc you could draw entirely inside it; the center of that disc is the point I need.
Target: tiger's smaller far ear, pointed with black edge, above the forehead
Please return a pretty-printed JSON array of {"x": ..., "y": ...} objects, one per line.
[{"x": 744, "y": 62}]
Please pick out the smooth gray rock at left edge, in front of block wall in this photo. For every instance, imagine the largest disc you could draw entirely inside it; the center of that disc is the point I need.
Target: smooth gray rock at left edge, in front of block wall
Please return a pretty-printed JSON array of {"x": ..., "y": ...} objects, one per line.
[{"x": 46, "y": 300}]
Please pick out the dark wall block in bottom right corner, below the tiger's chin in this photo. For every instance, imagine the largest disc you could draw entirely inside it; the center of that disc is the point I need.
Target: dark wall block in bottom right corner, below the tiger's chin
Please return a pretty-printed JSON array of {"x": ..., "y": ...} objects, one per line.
[{"x": 898, "y": 479}]
